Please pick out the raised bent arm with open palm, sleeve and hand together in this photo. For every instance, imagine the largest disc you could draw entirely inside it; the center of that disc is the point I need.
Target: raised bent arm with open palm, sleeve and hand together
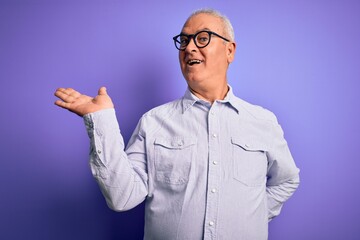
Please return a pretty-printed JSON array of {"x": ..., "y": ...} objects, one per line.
[{"x": 122, "y": 182}]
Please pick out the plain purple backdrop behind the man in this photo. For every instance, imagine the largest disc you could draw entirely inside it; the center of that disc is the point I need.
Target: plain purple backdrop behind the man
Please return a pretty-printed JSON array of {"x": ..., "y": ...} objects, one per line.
[{"x": 300, "y": 59}]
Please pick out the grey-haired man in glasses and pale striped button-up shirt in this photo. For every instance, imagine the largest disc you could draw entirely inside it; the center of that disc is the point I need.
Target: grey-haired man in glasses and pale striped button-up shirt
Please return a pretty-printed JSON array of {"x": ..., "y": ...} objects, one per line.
[{"x": 209, "y": 165}]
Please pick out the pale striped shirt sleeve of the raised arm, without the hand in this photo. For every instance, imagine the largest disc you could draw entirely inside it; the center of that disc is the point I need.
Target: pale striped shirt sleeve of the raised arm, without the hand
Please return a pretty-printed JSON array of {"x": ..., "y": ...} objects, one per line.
[{"x": 123, "y": 181}]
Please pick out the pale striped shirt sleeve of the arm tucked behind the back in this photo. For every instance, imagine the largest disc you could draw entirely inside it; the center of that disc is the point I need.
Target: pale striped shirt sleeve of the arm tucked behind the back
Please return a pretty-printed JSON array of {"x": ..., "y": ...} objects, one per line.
[{"x": 283, "y": 175}]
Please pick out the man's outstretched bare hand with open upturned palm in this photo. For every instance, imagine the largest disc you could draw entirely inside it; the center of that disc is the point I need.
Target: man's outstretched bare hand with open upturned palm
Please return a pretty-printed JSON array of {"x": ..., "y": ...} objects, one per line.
[{"x": 82, "y": 104}]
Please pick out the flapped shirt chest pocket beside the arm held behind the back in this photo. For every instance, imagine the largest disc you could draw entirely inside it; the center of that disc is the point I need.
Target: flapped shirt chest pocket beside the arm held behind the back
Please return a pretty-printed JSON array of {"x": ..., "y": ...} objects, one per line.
[{"x": 249, "y": 162}]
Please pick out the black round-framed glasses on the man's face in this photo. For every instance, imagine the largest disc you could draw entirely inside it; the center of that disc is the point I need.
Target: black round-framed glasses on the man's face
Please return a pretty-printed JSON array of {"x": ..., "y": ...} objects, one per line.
[{"x": 201, "y": 39}]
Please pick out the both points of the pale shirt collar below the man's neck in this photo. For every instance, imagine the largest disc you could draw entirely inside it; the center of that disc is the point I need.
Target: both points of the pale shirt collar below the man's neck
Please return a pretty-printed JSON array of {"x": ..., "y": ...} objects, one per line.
[{"x": 189, "y": 99}]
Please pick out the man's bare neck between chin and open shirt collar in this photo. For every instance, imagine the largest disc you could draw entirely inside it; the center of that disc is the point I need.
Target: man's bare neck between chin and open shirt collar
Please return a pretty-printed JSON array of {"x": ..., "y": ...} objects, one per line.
[{"x": 210, "y": 94}]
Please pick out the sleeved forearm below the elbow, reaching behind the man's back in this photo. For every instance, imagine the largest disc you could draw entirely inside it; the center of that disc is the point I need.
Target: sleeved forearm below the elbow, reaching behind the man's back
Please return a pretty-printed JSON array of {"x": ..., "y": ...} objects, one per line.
[{"x": 277, "y": 195}]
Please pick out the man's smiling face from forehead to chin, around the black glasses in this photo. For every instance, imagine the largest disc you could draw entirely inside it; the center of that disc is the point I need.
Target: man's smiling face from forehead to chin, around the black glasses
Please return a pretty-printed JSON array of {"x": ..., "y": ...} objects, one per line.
[{"x": 213, "y": 60}]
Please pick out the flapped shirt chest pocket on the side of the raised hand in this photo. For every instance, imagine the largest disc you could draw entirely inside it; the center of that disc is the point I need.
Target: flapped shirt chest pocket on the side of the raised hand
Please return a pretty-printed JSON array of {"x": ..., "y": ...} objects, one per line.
[{"x": 173, "y": 157}]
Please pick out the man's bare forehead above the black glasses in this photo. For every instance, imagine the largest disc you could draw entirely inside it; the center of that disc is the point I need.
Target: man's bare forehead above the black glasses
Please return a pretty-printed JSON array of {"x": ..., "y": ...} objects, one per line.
[{"x": 202, "y": 22}]
